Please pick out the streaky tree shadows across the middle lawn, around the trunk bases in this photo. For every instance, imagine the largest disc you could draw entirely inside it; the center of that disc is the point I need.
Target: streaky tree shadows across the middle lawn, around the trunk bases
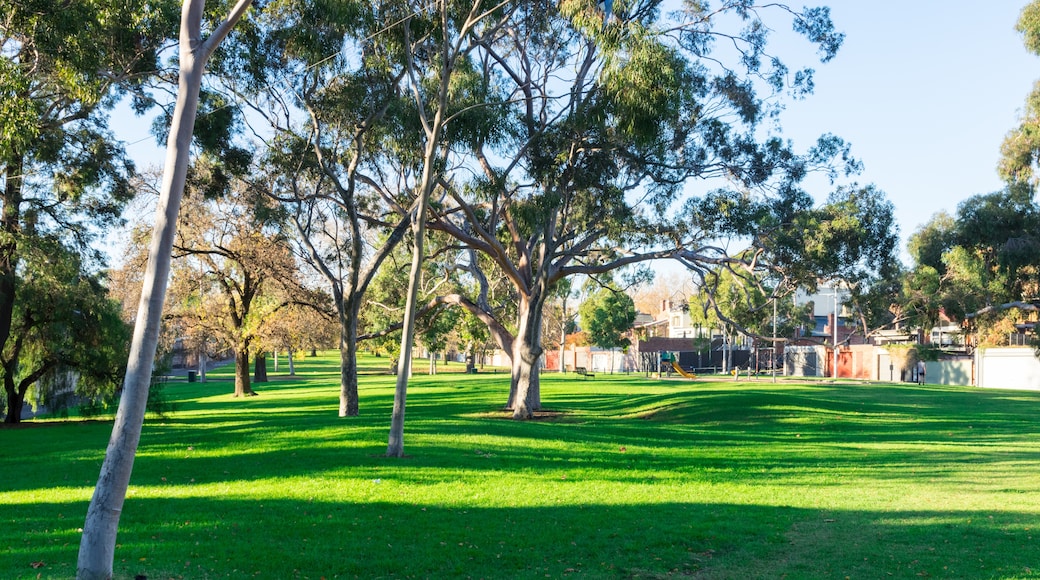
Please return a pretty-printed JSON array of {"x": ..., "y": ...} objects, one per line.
[{"x": 700, "y": 434}]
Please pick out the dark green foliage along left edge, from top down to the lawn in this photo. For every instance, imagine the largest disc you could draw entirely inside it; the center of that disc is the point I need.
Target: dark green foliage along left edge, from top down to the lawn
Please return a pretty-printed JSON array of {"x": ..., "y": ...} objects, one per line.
[{"x": 65, "y": 179}]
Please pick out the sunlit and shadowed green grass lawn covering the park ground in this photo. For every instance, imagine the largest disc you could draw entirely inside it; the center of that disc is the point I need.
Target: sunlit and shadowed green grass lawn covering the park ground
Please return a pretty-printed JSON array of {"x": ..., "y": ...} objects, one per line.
[{"x": 629, "y": 478}]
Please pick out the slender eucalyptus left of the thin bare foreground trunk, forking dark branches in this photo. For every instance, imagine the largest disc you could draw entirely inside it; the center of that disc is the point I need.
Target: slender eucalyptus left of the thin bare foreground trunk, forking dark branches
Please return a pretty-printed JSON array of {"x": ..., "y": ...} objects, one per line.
[{"x": 326, "y": 81}]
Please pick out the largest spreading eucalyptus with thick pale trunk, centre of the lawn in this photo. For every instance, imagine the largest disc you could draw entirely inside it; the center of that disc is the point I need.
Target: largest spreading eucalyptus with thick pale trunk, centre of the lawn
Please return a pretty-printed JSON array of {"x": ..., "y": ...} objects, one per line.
[{"x": 601, "y": 124}]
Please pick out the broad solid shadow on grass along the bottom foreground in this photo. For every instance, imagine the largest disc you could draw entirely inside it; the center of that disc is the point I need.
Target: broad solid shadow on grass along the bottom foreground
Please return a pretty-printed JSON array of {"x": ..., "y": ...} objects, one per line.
[{"x": 205, "y": 538}]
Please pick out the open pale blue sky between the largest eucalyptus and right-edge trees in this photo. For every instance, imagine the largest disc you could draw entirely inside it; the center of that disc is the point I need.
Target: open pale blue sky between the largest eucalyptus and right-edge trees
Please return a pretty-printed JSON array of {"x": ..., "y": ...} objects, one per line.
[{"x": 925, "y": 91}]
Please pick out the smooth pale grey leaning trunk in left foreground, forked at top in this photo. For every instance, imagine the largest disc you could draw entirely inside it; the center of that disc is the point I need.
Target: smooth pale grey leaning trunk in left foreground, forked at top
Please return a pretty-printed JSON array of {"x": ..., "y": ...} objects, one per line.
[{"x": 97, "y": 549}]
